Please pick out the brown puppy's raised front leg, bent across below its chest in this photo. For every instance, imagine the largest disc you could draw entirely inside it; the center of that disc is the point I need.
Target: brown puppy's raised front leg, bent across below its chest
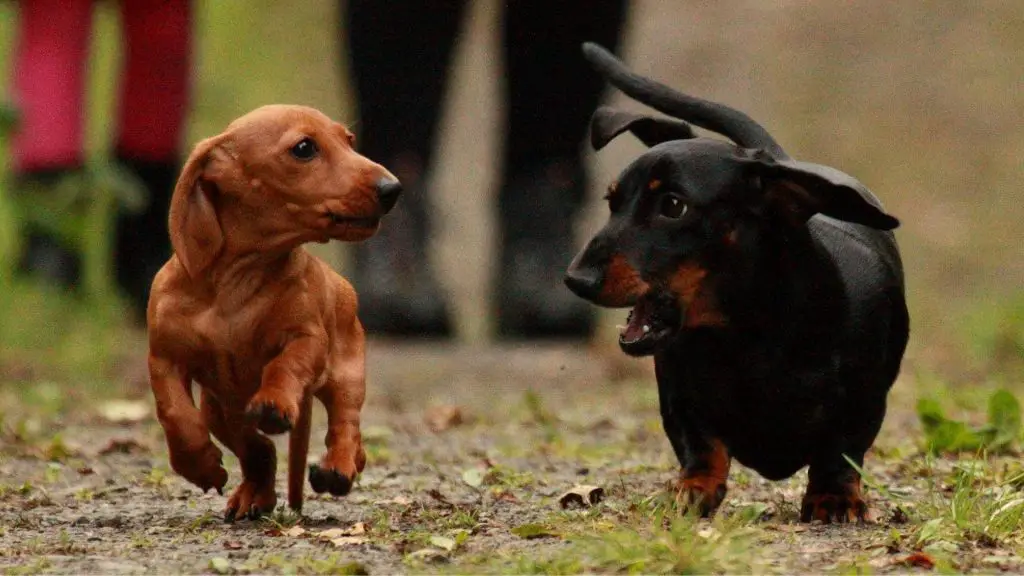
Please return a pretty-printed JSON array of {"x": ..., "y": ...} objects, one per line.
[{"x": 275, "y": 407}]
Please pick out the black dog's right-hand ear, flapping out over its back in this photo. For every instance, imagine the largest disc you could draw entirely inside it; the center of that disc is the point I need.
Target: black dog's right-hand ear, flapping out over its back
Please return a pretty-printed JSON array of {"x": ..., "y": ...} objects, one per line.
[{"x": 800, "y": 190}]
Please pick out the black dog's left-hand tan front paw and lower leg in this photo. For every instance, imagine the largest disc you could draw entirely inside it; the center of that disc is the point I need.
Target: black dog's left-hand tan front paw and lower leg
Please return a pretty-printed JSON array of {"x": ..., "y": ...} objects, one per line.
[{"x": 703, "y": 481}]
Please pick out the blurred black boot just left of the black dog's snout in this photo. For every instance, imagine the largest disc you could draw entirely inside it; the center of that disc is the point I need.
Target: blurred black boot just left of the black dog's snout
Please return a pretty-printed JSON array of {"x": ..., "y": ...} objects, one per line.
[{"x": 537, "y": 216}]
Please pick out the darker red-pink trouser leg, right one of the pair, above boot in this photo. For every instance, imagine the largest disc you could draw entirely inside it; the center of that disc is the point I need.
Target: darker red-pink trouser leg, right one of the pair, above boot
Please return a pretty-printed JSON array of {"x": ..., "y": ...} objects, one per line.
[{"x": 156, "y": 80}]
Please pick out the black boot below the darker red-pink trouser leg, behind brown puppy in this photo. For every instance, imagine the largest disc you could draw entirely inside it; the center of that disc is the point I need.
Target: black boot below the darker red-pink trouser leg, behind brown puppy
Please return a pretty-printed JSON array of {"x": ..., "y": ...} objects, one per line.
[{"x": 142, "y": 242}]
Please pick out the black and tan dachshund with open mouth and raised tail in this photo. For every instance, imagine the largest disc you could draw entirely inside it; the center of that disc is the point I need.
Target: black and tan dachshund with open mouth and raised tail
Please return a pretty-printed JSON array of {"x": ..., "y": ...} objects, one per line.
[{"x": 771, "y": 293}]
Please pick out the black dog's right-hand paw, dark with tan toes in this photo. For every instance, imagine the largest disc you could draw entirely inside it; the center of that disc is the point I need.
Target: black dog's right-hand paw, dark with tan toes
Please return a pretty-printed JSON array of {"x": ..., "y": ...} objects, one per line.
[{"x": 834, "y": 492}]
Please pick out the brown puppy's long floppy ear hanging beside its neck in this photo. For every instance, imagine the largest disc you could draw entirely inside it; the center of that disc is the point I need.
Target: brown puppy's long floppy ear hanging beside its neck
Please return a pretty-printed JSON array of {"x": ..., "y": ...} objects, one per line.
[{"x": 195, "y": 228}]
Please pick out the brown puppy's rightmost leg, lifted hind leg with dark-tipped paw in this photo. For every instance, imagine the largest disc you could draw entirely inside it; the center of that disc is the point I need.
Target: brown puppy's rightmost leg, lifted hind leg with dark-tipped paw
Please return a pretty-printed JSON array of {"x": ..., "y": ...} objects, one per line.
[{"x": 343, "y": 395}]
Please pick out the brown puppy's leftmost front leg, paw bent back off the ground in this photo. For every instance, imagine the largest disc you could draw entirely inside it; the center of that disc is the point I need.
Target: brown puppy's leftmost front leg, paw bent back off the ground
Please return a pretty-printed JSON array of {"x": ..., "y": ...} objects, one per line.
[{"x": 193, "y": 454}]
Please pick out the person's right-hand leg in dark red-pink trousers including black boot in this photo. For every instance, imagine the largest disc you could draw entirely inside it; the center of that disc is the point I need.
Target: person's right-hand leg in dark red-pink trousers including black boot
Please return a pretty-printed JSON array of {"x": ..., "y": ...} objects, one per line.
[{"x": 154, "y": 105}]
